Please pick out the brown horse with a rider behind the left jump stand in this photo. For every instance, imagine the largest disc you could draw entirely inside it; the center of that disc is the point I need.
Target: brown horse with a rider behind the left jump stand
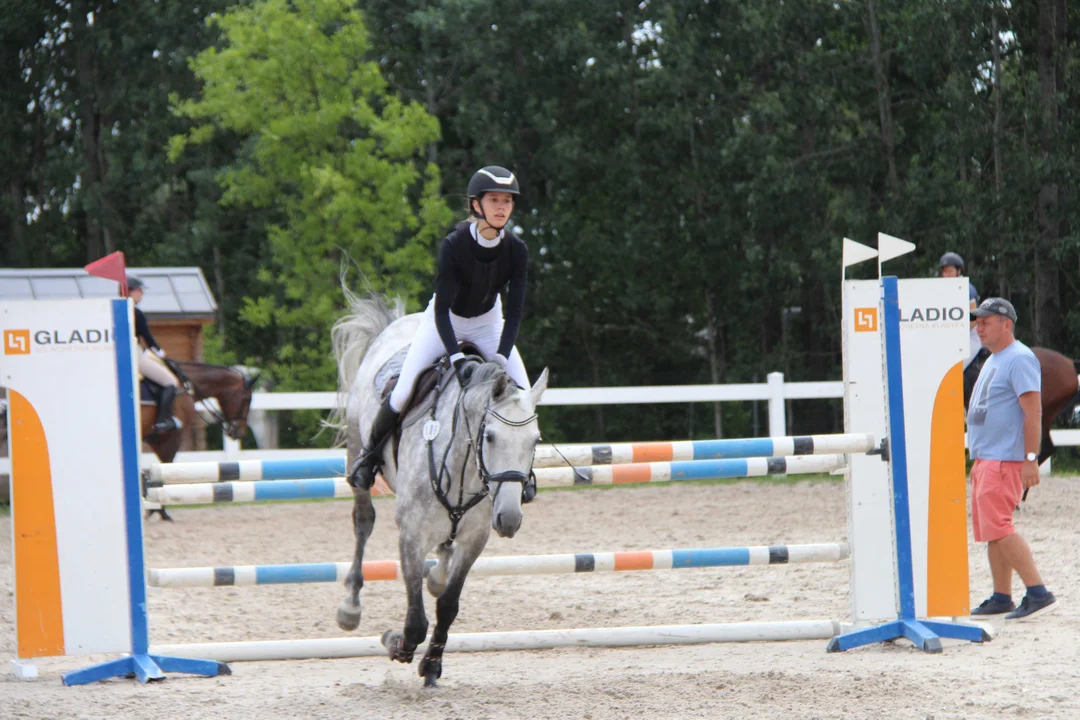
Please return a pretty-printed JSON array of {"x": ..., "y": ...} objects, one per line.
[{"x": 232, "y": 389}]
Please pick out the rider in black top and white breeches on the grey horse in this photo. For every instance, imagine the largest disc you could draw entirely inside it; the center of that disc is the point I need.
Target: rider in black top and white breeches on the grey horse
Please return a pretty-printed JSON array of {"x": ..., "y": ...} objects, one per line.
[{"x": 480, "y": 260}]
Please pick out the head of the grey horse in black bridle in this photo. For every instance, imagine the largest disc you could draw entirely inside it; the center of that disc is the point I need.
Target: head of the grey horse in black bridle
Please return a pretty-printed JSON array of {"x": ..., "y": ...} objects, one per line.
[{"x": 507, "y": 440}]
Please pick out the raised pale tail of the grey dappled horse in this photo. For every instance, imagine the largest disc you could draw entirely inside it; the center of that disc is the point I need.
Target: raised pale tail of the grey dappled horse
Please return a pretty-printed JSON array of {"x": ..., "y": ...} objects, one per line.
[{"x": 352, "y": 337}]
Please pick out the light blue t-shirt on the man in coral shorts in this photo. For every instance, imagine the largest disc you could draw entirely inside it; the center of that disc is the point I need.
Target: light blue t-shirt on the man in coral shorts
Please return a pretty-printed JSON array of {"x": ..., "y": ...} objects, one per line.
[{"x": 995, "y": 419}]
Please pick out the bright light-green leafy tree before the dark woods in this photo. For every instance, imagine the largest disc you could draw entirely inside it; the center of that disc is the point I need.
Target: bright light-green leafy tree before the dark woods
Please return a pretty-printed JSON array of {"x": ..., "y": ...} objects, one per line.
[{"x": 333, "y": 161}]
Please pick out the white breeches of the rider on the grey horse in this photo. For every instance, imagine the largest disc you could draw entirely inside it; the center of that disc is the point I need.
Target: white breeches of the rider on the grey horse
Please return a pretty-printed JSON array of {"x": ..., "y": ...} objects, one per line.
[{"x": 484, "y": 332}]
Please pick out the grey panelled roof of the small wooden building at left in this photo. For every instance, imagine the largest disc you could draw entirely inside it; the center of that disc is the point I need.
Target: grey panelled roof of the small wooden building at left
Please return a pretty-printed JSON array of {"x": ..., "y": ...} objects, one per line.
[{"x": 171, "y": 293}]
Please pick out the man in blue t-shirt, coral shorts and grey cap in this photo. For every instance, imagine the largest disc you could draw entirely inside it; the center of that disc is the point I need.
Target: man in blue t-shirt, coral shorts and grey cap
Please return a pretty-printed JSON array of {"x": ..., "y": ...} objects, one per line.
[{"x": 1005, "y": 427}]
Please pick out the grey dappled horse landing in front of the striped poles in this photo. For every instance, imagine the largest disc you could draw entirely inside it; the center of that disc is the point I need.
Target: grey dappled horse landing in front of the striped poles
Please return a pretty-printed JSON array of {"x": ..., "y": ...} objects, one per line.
[{"x": 458, "y": 470}]
